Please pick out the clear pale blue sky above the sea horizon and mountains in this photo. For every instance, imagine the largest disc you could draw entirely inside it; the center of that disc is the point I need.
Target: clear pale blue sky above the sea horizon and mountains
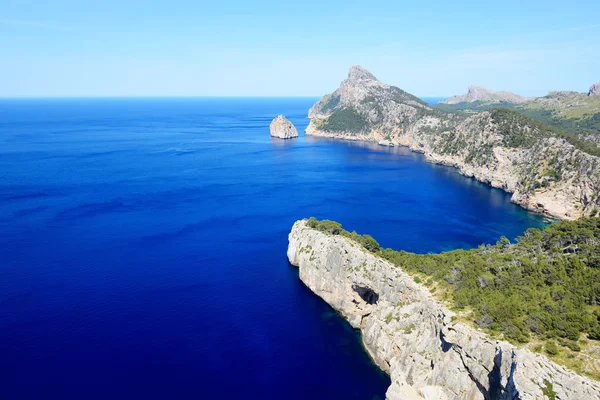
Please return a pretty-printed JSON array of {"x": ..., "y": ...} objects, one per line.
[{"x": 293, "y": 48}]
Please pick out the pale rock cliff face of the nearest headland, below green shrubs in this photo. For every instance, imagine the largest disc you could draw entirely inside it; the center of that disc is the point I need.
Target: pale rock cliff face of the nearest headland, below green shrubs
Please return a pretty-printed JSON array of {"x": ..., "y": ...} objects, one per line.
[{"x": 411, "y": 335}]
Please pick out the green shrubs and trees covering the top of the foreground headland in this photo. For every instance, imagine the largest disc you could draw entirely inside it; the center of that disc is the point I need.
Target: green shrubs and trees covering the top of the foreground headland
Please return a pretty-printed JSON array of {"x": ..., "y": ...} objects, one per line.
[{"x": 545, "y": 286}]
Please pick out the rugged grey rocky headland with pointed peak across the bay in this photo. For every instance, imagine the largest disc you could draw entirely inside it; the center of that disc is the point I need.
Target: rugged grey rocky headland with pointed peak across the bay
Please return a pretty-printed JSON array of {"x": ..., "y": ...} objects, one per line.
[{"x": 509, "y": 151}]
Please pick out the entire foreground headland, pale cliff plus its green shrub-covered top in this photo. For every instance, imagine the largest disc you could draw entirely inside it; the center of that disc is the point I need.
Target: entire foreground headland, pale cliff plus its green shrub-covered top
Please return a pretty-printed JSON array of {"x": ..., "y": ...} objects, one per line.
[{"x": 433, "y": 352}]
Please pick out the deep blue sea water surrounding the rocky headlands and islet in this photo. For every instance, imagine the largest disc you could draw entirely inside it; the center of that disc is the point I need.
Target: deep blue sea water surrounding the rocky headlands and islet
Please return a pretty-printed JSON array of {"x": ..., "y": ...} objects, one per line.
[{"x": 143, "y": 247}]
